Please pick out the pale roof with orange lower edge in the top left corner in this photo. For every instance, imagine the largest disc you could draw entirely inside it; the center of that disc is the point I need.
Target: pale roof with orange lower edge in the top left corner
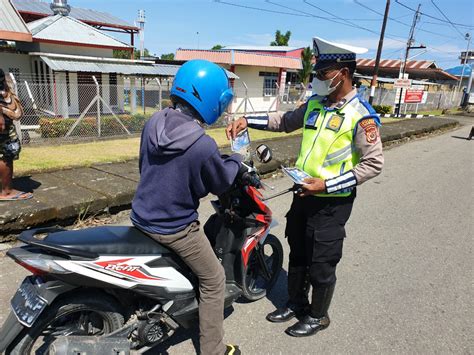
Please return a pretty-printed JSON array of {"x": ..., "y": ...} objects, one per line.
[{"x": 12, "y": 26}]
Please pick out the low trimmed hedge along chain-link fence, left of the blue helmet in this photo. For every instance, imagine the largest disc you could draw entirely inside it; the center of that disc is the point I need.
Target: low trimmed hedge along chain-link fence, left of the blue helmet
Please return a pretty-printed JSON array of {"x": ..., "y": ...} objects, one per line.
[{"x": 58, "y": 127}]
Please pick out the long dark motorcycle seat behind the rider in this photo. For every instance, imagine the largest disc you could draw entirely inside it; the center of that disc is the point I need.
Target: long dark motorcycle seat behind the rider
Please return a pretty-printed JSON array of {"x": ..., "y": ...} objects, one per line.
[{"x": 92, "y": 242}]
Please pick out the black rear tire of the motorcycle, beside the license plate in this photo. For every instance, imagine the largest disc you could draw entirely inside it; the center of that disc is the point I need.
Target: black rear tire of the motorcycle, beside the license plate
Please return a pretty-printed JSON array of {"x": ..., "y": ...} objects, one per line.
[{"x": 96, "y": 309}]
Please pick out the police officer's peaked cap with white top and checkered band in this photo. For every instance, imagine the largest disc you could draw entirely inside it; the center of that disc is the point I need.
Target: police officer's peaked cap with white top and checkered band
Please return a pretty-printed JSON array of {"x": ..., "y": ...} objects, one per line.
[{"x": 330, "y": 53}]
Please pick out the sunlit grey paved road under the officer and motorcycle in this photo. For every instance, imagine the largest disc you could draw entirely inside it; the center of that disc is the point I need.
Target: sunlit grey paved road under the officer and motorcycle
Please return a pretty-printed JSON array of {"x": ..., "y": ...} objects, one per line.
[{"x": 405, "y": 281}]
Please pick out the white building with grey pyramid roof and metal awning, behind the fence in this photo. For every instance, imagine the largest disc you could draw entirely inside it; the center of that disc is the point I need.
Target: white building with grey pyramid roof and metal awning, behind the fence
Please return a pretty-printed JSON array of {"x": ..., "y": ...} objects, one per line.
[{"x": 61, "y": 64}]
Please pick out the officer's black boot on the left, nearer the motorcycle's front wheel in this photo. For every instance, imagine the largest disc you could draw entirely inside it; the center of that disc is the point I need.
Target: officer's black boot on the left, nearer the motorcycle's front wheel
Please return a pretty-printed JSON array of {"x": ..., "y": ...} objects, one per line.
[{"x": 298, "y": 288}]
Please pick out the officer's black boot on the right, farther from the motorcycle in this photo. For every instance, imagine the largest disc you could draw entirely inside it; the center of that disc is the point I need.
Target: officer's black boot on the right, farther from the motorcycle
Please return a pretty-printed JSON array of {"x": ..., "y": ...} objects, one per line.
[{"x": 318, "y": 318}]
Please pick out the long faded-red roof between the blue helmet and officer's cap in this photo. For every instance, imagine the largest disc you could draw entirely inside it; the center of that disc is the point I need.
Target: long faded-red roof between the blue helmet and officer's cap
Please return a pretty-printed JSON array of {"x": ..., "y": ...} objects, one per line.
[{"x": 232, "y": 57}]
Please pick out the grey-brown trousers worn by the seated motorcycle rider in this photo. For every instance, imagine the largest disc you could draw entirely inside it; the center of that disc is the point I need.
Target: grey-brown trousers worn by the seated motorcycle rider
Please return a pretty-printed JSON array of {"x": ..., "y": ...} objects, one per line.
[{"x": 194, "y": 248}]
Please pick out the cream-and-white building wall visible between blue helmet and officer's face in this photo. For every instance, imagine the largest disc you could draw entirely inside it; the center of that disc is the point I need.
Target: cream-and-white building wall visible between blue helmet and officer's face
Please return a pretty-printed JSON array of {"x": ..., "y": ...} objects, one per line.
[{"x": 256, "y": 102}]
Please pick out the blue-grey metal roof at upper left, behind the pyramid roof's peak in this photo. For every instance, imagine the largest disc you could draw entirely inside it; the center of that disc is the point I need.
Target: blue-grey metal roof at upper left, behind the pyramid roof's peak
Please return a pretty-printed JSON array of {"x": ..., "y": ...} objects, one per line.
[{"x": 87, "y": 15}]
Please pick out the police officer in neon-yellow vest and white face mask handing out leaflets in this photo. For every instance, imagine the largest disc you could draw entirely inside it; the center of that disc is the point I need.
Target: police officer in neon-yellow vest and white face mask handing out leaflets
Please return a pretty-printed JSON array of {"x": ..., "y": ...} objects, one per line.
[{"x": 340, "y": 149}]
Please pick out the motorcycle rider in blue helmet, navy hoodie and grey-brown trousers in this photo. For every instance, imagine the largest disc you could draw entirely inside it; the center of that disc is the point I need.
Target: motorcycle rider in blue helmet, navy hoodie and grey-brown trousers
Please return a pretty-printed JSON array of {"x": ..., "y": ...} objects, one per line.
[{"x": 179, "y": 164}]
